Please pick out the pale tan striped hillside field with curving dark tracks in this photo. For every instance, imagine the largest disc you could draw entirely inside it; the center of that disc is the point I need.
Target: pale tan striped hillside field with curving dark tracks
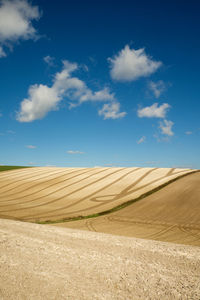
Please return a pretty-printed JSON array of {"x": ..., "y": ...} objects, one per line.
[{"x": 41, "y": 194}]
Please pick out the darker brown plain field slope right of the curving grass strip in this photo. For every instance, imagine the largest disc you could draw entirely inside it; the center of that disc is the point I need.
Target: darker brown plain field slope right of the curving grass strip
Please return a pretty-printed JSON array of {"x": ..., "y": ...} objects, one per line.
[{"x": 171, "y": 214}]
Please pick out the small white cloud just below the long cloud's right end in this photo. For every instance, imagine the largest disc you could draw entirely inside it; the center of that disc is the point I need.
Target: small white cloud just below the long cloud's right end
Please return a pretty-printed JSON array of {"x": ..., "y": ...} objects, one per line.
[{"x": 111, "y": 111}]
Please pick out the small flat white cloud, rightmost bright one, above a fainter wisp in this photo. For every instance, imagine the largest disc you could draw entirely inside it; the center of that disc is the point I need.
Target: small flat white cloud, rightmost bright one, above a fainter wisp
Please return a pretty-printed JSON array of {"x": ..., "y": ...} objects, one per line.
[{"x": 154, "y": 111}]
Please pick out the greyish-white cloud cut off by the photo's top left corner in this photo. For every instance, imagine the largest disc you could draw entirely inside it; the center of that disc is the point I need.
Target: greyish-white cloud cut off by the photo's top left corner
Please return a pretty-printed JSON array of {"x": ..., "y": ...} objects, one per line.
[{"x": 16, "y": 18}]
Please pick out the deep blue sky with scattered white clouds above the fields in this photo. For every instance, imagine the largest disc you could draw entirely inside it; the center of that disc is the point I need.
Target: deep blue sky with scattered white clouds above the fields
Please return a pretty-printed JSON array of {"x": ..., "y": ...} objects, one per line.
[{"x": 100, "y": 83}]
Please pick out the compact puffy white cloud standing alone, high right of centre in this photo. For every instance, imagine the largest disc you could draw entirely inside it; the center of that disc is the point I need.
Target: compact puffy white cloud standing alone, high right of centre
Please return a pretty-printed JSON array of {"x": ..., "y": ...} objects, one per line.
[{"x": 130, "y": 64}]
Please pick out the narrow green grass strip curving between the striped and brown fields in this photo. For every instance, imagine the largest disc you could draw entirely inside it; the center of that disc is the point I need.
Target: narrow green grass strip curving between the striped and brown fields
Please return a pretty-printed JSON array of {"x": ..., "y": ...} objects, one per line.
[{"x": 118, "y": 207}]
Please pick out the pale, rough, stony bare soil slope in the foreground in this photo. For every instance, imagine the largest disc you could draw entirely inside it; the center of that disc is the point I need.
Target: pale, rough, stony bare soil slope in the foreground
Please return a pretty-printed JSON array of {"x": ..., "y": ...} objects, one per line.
[{"x": 45, "y": 262}]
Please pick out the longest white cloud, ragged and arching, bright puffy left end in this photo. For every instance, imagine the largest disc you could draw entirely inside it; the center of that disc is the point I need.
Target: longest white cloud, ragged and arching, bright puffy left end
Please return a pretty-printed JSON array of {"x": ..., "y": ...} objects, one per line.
[{"x": 43, "y": 98}]
